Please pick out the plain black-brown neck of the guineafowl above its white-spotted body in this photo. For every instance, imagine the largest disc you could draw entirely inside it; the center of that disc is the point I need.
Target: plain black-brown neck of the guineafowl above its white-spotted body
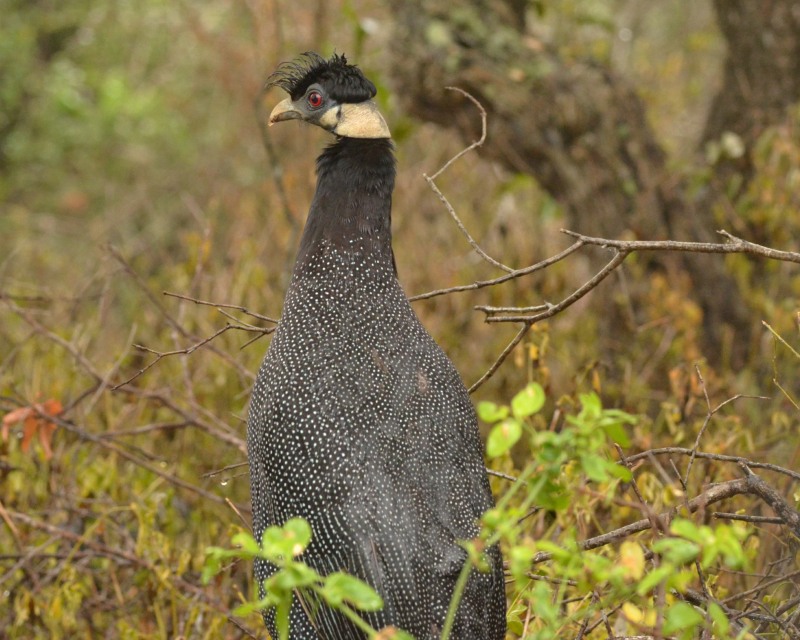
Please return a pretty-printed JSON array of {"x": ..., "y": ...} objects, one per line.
[{"x": 352, "y": 207}]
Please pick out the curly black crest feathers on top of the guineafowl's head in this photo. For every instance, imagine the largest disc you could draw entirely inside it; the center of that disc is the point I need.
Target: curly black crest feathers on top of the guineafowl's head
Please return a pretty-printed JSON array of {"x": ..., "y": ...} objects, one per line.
[{"x": 343, "y": 82}]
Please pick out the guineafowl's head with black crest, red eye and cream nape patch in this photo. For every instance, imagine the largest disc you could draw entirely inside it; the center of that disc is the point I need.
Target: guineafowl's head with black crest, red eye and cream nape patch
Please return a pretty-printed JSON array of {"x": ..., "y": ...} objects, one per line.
[{"x": 331, "y": 94}]
